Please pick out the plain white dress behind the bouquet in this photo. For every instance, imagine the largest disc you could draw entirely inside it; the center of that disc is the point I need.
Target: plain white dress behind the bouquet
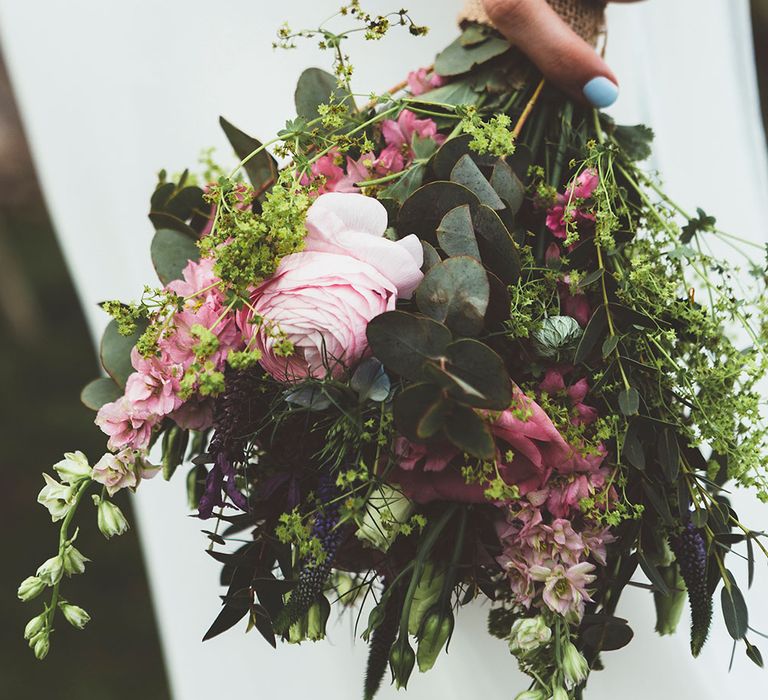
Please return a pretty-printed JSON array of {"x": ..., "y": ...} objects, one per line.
[{"x": 111, "y": 92}]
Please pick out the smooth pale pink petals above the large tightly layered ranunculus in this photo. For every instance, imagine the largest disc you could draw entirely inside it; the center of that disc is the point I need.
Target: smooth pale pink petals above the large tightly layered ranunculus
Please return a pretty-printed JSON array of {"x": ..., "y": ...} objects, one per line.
[{"x": 353, "y": 225}]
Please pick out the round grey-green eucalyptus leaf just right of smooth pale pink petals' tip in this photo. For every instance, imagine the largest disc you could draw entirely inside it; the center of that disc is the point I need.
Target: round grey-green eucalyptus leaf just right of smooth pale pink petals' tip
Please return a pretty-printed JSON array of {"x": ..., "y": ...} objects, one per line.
[{"x": 456, "y": 292}]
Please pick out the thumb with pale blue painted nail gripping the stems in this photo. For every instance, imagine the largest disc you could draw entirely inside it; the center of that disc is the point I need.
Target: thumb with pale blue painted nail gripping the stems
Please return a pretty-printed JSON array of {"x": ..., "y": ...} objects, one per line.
[{"x": 560, "y": 54}]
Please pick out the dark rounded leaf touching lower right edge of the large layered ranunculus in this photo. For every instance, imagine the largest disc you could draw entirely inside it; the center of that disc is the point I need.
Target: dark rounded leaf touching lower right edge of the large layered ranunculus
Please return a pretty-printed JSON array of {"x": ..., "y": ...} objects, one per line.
[{"x": 403, "y": 341}]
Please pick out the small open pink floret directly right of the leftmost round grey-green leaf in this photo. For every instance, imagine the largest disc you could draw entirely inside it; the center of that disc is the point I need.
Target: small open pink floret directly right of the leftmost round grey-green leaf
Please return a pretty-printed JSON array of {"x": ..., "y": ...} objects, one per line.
[{"x": 154, "y": 386}]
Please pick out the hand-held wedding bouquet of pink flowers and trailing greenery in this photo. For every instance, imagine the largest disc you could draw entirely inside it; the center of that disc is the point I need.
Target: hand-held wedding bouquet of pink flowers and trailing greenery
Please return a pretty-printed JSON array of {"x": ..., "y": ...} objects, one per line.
[{"x": 459, "y": 345}]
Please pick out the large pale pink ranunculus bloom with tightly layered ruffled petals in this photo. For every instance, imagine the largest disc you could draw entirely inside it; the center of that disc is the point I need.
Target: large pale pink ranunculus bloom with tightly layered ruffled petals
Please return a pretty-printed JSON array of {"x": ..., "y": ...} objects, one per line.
[{"x": 321, "y": 303}]
